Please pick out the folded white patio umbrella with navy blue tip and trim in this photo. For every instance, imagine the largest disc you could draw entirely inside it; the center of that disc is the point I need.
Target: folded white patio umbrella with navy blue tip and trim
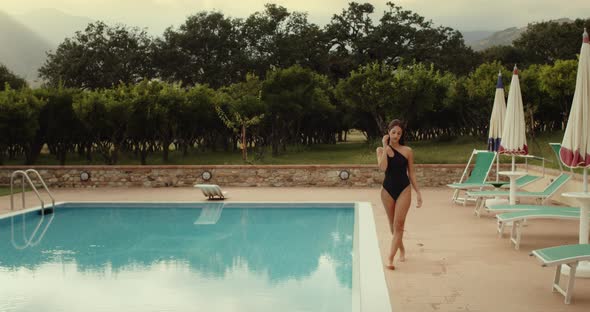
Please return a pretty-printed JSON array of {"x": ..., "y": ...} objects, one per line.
[{"x": 497, "y": 121}]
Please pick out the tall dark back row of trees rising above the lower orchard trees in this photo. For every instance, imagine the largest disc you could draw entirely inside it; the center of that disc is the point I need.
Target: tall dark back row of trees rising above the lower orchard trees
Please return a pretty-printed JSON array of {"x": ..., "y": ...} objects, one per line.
[{"x": 217, "y": 50}]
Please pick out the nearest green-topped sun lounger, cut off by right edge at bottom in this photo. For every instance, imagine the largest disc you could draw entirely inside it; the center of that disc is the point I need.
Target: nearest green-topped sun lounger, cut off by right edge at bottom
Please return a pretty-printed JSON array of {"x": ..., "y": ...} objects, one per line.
[{"x": 569, "y": 255}]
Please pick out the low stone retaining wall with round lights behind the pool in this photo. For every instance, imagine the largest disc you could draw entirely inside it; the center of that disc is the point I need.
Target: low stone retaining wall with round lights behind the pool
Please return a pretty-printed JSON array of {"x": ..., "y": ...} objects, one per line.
[{"x": 235, "y": 175}]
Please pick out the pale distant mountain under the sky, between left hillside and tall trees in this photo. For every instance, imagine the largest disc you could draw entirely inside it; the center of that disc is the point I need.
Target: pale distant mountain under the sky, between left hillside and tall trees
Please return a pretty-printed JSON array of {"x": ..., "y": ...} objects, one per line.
[{"x": 52, "y": 24}]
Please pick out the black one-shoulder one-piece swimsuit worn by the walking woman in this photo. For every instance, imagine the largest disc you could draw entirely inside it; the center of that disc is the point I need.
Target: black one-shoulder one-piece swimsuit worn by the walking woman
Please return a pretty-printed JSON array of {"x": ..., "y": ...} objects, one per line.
[{"x": 396, "y": 175}]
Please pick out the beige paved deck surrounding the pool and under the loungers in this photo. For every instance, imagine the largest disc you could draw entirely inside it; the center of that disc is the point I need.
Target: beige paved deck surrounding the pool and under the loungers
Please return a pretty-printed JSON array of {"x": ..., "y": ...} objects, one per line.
[{"x": 455, "y": 260}]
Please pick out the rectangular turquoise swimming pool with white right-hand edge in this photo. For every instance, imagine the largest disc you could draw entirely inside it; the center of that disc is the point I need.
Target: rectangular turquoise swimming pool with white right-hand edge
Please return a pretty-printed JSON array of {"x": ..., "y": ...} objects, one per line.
[{"x": 192, "y": 257}]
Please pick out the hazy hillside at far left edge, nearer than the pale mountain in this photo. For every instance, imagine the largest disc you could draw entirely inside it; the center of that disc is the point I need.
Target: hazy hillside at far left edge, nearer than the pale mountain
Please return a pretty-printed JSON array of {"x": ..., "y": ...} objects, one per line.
[{"x": 21, "y": 49}]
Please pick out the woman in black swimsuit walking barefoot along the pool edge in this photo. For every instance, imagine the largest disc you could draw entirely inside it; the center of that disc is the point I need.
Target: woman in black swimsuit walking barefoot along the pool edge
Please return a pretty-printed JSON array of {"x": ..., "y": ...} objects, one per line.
[{"x": 397, "y": 160}]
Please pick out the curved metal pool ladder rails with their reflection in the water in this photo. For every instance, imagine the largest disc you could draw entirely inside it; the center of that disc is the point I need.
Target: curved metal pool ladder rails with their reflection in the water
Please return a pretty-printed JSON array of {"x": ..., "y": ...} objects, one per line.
[{"x": 33, "y": 239}]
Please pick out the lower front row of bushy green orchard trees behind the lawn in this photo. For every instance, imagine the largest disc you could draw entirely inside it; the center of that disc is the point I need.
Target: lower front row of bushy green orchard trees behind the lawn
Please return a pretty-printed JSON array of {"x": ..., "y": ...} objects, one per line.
[{"x": 291, "y": 106}]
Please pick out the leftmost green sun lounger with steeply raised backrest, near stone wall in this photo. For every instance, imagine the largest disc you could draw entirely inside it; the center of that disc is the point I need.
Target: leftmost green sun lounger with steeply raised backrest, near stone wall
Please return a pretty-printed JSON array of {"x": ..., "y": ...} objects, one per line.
[{"x": 476, "y": 180}]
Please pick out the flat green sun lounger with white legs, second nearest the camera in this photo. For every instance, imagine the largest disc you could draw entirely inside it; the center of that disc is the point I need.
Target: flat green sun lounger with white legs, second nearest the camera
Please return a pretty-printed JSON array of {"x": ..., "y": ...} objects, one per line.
[{"x": 518, "y": 217}]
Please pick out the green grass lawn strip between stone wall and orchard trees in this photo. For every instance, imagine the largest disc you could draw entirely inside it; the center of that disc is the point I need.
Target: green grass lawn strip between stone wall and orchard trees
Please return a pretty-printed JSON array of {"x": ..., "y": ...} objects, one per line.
[{"x": 355, "y": 151}]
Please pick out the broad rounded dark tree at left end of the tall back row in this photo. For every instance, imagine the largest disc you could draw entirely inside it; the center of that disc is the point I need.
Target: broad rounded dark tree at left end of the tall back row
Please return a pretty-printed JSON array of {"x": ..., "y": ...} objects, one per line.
[{"x": 101, "y": 56}]
